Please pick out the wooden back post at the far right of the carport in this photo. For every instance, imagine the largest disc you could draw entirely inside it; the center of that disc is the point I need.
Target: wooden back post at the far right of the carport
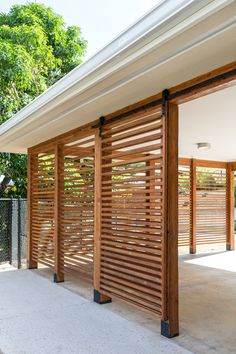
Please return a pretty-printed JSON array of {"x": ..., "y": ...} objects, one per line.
[{"x": 230, "y": 208}]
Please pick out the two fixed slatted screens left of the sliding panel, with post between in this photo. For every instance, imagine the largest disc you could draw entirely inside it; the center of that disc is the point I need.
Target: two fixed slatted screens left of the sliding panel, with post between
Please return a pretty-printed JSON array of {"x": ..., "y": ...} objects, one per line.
[{"x": 62, "y": 206}]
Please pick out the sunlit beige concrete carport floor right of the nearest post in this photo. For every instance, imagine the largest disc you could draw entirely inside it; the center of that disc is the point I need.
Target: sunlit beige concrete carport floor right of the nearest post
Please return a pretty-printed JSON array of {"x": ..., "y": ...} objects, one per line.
[{"x": 208, "y": 303}]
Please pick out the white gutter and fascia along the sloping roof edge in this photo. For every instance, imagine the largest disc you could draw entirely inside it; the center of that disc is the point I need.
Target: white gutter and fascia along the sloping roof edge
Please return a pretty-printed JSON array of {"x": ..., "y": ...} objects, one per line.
[{"x": 166, "y": 20}]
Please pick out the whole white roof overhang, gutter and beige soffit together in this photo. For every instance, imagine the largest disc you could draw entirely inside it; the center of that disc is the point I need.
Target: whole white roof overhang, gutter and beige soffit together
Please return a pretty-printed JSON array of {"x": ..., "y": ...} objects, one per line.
[{"x": 176, "y": 41}]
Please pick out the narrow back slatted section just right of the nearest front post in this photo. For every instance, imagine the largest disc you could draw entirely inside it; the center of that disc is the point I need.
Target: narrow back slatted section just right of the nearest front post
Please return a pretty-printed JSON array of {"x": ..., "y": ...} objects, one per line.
[{"x": 184, "y": 206}]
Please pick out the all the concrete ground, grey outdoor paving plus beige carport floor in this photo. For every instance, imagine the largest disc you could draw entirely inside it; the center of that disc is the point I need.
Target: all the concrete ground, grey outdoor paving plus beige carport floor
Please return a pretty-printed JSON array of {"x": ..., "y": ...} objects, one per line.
[{"x": 207, "y": 313}]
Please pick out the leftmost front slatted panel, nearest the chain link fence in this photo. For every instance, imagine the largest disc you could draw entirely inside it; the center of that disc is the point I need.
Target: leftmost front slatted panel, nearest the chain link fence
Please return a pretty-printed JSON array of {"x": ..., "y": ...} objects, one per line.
[{"x": 42, "y": 209}]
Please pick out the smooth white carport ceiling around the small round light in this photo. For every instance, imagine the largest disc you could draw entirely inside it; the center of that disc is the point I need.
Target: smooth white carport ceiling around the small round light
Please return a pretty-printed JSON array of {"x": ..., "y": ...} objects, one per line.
[{"x": 210, "y": 119}]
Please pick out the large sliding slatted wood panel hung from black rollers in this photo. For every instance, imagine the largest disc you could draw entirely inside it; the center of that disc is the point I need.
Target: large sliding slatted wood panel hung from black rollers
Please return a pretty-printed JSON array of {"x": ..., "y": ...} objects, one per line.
[{"x": 132, "y": 210}]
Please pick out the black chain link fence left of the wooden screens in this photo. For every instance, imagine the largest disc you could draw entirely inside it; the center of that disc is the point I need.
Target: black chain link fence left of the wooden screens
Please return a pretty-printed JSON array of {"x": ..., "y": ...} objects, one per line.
[{"x": 13, "y": 214}]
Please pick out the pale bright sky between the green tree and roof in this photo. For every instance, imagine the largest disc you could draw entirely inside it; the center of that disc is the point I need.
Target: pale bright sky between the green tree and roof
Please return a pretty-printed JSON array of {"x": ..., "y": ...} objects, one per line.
[{"x": 100, "y": 20}]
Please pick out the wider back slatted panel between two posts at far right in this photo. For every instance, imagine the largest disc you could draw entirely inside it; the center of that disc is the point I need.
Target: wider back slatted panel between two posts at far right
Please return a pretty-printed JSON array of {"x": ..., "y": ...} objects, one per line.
[{"x": 211, "y": 205}]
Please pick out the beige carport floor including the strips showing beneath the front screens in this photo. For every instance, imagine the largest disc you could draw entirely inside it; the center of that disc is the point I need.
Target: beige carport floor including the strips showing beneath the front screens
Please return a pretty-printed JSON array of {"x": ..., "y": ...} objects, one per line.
[{"x": 207, "y": 301}]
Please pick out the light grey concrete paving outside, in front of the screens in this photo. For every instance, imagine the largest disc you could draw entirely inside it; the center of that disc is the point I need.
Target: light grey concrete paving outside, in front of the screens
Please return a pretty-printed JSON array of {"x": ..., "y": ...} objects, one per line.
[{"x": 40, "y": 317}]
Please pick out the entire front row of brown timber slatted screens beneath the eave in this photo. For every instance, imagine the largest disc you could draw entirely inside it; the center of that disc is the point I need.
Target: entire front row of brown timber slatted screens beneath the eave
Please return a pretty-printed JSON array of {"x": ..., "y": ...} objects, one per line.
[{"x": 110, "y": 181}]
